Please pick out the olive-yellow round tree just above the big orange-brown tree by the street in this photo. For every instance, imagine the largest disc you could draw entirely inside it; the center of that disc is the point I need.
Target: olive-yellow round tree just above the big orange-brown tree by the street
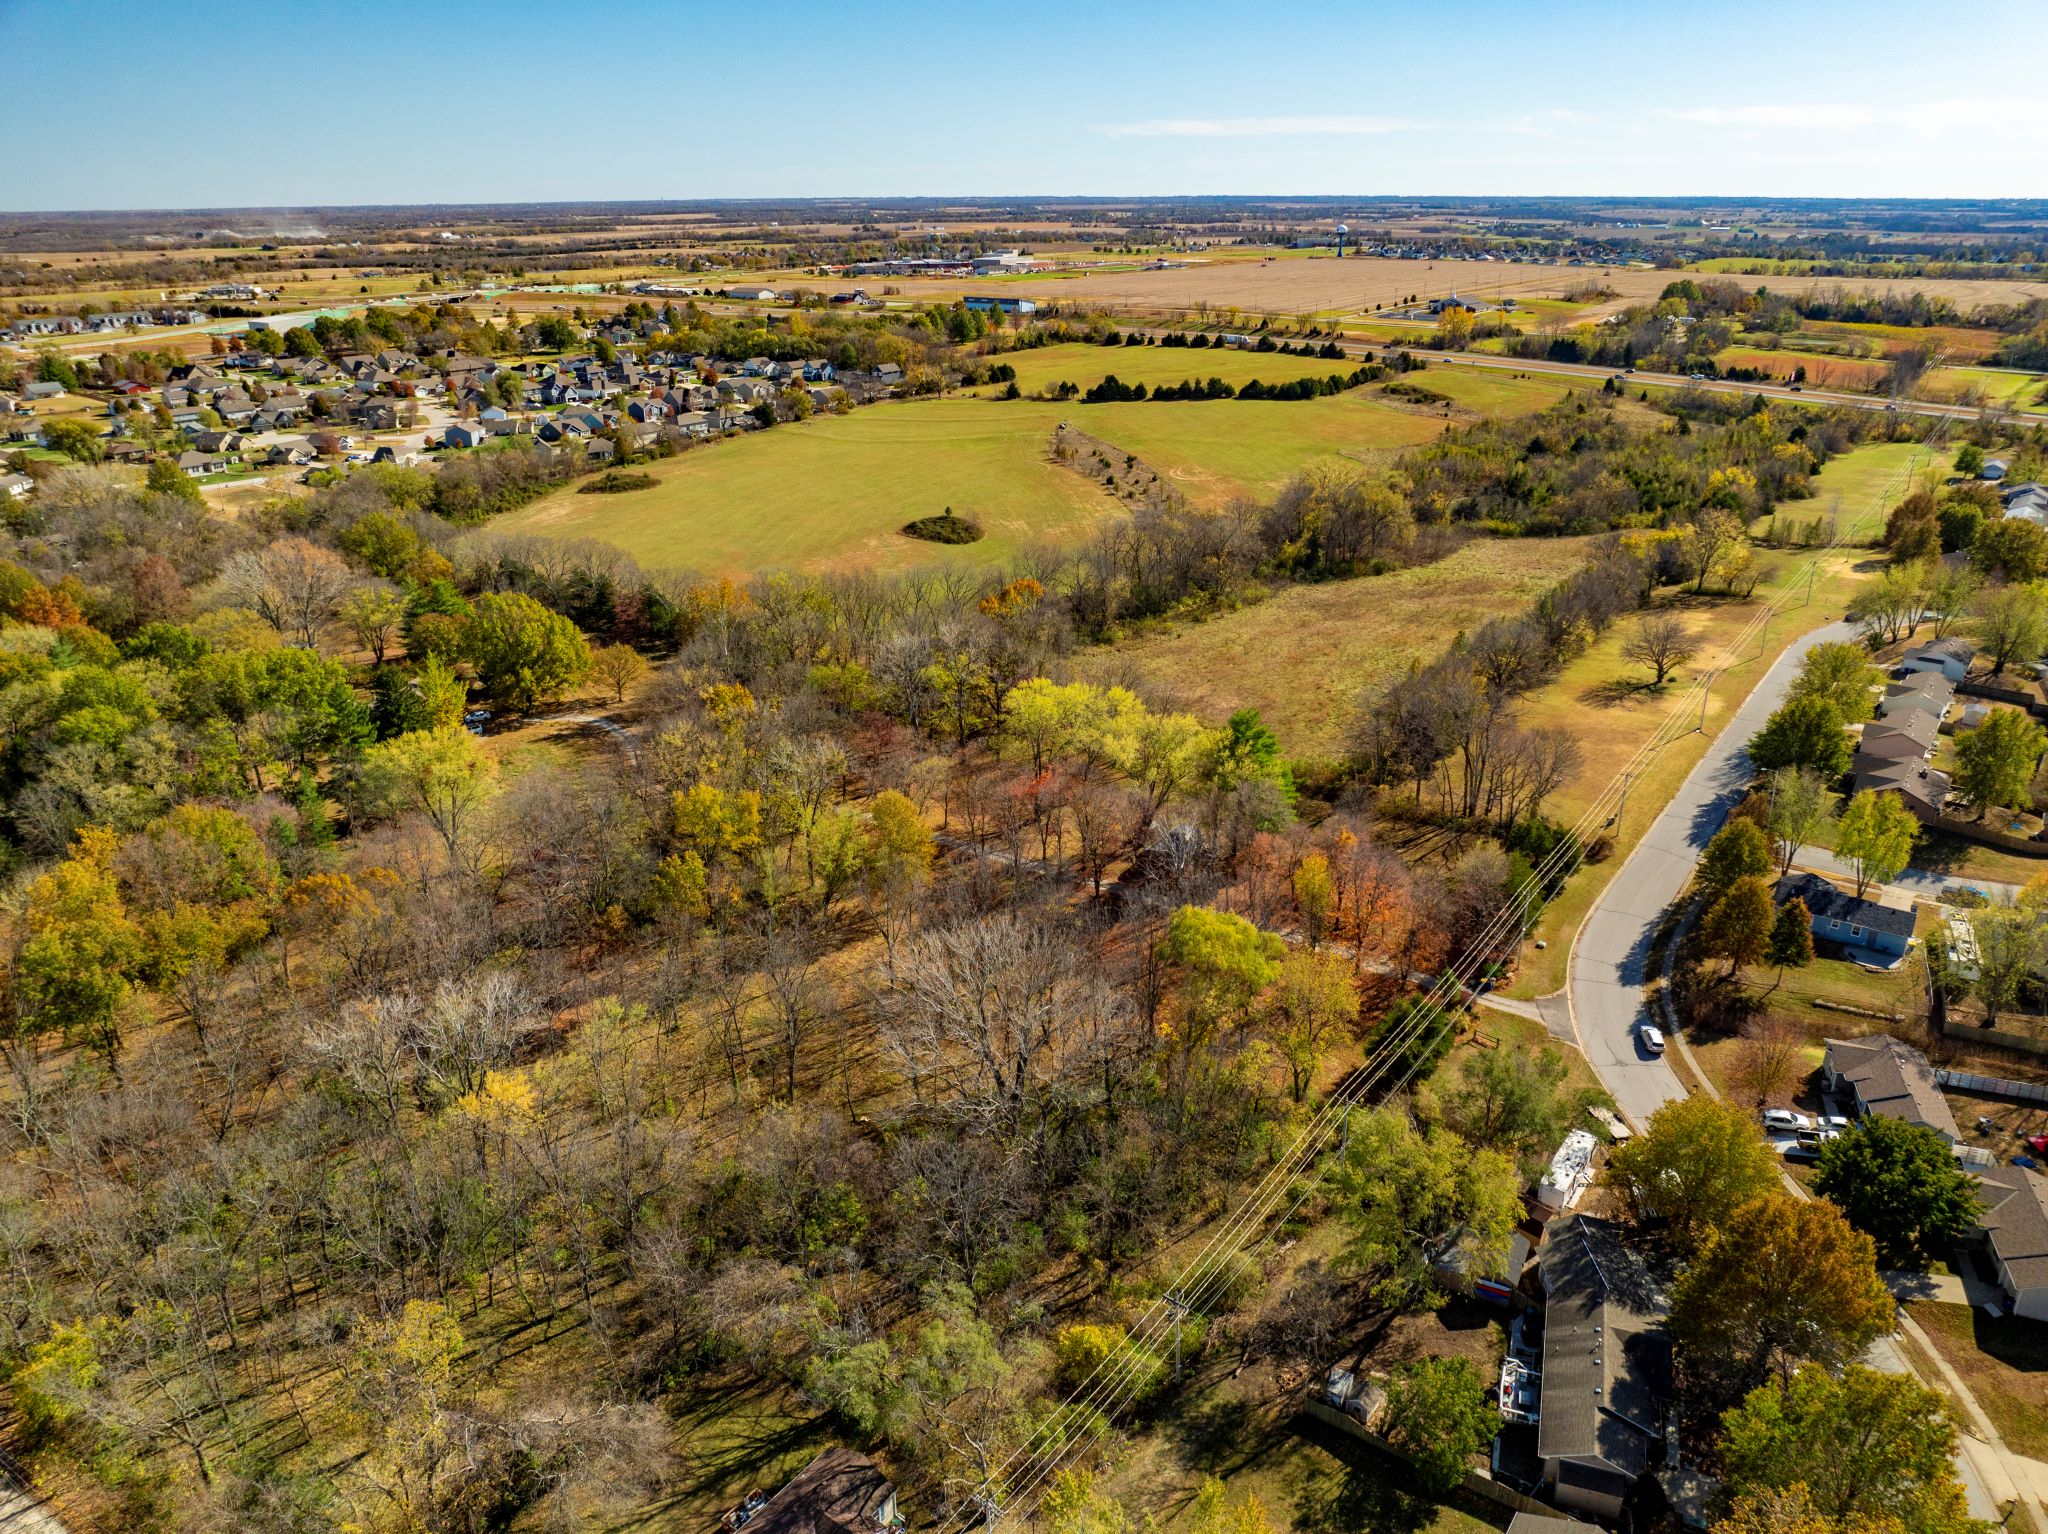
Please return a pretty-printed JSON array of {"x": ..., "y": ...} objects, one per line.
[{"x": 1693, "y": 1166}]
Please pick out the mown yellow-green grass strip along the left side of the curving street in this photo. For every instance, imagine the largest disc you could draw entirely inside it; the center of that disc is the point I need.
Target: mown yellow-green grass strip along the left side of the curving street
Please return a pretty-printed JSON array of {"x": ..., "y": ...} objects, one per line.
[{"x": 1601, "y": 699}]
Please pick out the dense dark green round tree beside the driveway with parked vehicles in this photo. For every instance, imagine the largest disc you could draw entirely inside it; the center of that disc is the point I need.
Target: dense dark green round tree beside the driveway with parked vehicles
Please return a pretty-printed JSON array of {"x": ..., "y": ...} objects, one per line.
[{"x": 1902, "y": 1185}]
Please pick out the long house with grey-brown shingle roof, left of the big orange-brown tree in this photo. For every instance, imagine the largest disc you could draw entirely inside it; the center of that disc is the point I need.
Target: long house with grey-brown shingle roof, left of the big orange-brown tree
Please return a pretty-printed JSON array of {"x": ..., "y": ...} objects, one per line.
[{"x": 1607, "y": 1367}]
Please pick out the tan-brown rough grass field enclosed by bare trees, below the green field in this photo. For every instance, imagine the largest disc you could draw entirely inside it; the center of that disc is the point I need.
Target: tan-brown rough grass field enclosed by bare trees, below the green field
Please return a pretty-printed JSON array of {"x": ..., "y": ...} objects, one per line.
[{"x": 1338, "y": 638}]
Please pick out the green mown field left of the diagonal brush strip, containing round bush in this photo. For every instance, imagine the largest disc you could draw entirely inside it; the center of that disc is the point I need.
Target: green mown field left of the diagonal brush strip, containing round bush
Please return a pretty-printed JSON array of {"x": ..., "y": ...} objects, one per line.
[{"x": 835, "y": 493}]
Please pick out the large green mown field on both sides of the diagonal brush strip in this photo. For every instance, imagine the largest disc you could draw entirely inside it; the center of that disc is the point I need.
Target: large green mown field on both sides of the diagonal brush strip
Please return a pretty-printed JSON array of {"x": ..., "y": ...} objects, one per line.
[{"x": 835, "y": 493}]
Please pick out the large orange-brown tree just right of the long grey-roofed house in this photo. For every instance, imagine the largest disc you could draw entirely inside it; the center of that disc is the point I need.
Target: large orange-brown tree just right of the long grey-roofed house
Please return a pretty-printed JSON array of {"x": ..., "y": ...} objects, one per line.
[{"x": 1785, "y": 1283}]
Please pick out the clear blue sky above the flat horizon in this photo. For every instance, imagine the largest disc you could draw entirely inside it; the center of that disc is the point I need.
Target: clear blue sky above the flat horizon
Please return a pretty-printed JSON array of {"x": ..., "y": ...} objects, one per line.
[{"x": 163, "y": 103}]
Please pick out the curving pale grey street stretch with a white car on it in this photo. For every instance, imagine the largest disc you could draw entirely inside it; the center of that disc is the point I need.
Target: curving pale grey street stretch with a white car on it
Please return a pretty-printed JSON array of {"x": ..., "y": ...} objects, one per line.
[{"x": 1611, "y": 962}]
